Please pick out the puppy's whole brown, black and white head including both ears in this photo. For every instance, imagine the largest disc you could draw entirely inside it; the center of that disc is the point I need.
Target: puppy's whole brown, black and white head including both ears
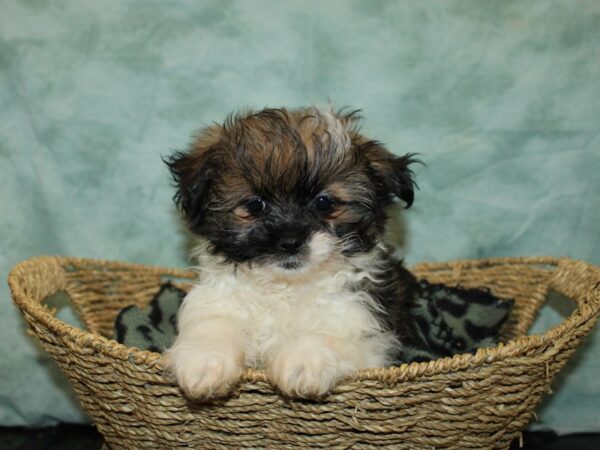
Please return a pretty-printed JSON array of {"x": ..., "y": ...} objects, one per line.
[{"x": 288, "y": 189}]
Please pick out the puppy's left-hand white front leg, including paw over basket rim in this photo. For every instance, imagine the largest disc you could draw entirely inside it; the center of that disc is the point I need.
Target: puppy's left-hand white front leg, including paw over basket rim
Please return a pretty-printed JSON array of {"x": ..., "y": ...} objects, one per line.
[{"x": 207, "y": 356}]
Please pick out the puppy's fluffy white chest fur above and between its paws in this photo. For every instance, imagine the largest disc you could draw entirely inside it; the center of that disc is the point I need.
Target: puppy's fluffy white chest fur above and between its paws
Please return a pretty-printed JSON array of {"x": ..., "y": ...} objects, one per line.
[{"x": 271, "y": 310}]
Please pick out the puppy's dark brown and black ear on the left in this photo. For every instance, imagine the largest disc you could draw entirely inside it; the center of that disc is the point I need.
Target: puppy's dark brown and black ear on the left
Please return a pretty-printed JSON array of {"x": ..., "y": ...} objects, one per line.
[{"x": 192, "y": 172}]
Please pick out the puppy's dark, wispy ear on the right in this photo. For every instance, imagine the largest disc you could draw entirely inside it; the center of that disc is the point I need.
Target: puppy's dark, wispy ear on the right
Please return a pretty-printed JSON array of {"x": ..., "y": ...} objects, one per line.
[{"x": 392, "y": 173}]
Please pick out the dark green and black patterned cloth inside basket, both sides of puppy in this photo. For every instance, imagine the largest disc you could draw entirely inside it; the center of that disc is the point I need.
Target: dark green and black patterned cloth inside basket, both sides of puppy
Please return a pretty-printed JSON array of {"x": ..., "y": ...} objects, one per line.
[{"x": 444, "y": 321}]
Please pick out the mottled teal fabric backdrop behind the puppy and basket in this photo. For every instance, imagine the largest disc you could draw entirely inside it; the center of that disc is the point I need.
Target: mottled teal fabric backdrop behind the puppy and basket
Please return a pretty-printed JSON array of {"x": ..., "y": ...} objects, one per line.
[{"x": 501, "y": 100}]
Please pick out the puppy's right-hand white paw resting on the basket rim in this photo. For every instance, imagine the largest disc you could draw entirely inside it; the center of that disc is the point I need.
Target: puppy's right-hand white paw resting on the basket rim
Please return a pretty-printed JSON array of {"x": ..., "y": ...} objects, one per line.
[{"x": 306, "y": 369}]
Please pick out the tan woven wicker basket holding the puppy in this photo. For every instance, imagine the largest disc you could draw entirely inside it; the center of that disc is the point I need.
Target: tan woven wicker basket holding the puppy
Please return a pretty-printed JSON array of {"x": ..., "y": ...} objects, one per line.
[{"x": 468, "y": 401}]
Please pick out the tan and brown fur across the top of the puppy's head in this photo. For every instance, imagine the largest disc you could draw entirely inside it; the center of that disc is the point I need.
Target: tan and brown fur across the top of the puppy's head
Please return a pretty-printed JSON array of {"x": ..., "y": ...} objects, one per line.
[{"x": 278, "y": 150}]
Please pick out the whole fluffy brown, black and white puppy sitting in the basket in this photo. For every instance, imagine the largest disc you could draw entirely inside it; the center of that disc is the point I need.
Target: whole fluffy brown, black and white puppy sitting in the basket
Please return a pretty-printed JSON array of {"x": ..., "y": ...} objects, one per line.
[{"x": 289, "y": 208}]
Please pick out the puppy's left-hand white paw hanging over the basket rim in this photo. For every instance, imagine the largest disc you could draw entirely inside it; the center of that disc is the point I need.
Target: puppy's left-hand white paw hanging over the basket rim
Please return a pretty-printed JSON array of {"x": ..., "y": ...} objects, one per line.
[{"x": 203, "y": 375}]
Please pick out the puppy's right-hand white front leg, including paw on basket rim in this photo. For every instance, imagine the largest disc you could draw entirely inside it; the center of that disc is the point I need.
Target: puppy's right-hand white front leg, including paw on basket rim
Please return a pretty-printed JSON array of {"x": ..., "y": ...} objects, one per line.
[{"x": 309, "y": 366}]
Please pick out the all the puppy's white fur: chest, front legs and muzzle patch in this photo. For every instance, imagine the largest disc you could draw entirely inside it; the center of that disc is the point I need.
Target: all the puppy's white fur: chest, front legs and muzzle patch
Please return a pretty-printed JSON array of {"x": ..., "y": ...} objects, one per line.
[{"x": 306, "y": 327}]
